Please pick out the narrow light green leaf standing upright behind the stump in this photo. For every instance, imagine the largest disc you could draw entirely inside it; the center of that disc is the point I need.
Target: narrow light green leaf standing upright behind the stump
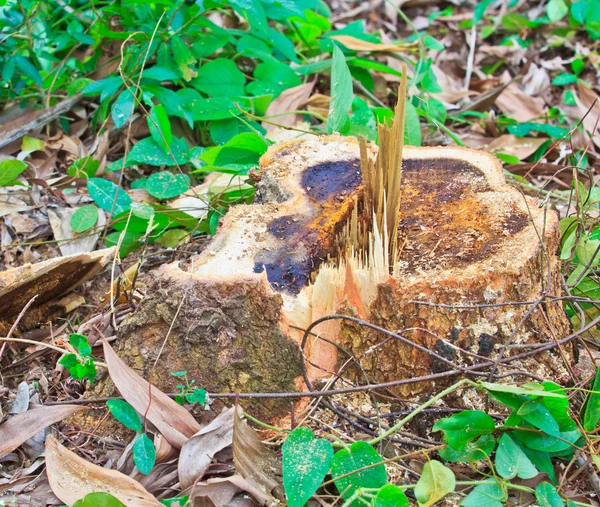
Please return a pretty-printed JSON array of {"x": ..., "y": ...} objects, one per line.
[{"x": 341, "y": 93}]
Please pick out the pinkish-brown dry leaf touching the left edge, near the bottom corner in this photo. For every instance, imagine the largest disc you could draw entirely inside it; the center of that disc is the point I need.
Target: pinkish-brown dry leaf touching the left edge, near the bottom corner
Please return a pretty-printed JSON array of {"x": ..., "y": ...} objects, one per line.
[{"x": 23, "y": 426}]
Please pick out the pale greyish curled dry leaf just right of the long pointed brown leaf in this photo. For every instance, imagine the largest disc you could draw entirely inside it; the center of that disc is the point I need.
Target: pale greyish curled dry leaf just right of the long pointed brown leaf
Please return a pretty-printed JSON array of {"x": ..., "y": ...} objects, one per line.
[{"x": 198, "y": 452}]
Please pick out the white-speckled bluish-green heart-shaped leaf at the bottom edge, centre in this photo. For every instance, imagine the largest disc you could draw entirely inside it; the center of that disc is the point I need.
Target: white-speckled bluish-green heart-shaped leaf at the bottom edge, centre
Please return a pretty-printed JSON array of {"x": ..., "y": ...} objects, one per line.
[{"x": 306, "y": 462}]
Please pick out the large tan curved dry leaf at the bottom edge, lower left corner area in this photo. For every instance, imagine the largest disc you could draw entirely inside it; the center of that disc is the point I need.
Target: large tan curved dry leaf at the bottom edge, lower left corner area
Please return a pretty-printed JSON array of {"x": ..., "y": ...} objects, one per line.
[{"x": 72, "y": 478}]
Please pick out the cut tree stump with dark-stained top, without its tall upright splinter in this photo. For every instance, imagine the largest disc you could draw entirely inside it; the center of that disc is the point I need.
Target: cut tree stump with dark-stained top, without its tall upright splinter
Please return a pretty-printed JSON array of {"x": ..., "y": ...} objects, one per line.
[{"x": 233, "y": 317}]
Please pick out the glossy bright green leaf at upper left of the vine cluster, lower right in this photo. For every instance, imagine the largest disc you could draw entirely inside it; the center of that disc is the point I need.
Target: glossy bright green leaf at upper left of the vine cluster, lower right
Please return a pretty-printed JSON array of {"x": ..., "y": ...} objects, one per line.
[{"x": 464, "y": 427}]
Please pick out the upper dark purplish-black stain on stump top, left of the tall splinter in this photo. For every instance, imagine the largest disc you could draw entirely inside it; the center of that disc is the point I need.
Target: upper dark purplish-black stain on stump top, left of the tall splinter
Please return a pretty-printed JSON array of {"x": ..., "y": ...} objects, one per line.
[{"x": 328, "y": 180}]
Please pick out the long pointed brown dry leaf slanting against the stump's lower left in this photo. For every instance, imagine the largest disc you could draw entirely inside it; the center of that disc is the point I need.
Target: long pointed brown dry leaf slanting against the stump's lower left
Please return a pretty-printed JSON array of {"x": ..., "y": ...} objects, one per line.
[{"x": 171, "y": 419}]
